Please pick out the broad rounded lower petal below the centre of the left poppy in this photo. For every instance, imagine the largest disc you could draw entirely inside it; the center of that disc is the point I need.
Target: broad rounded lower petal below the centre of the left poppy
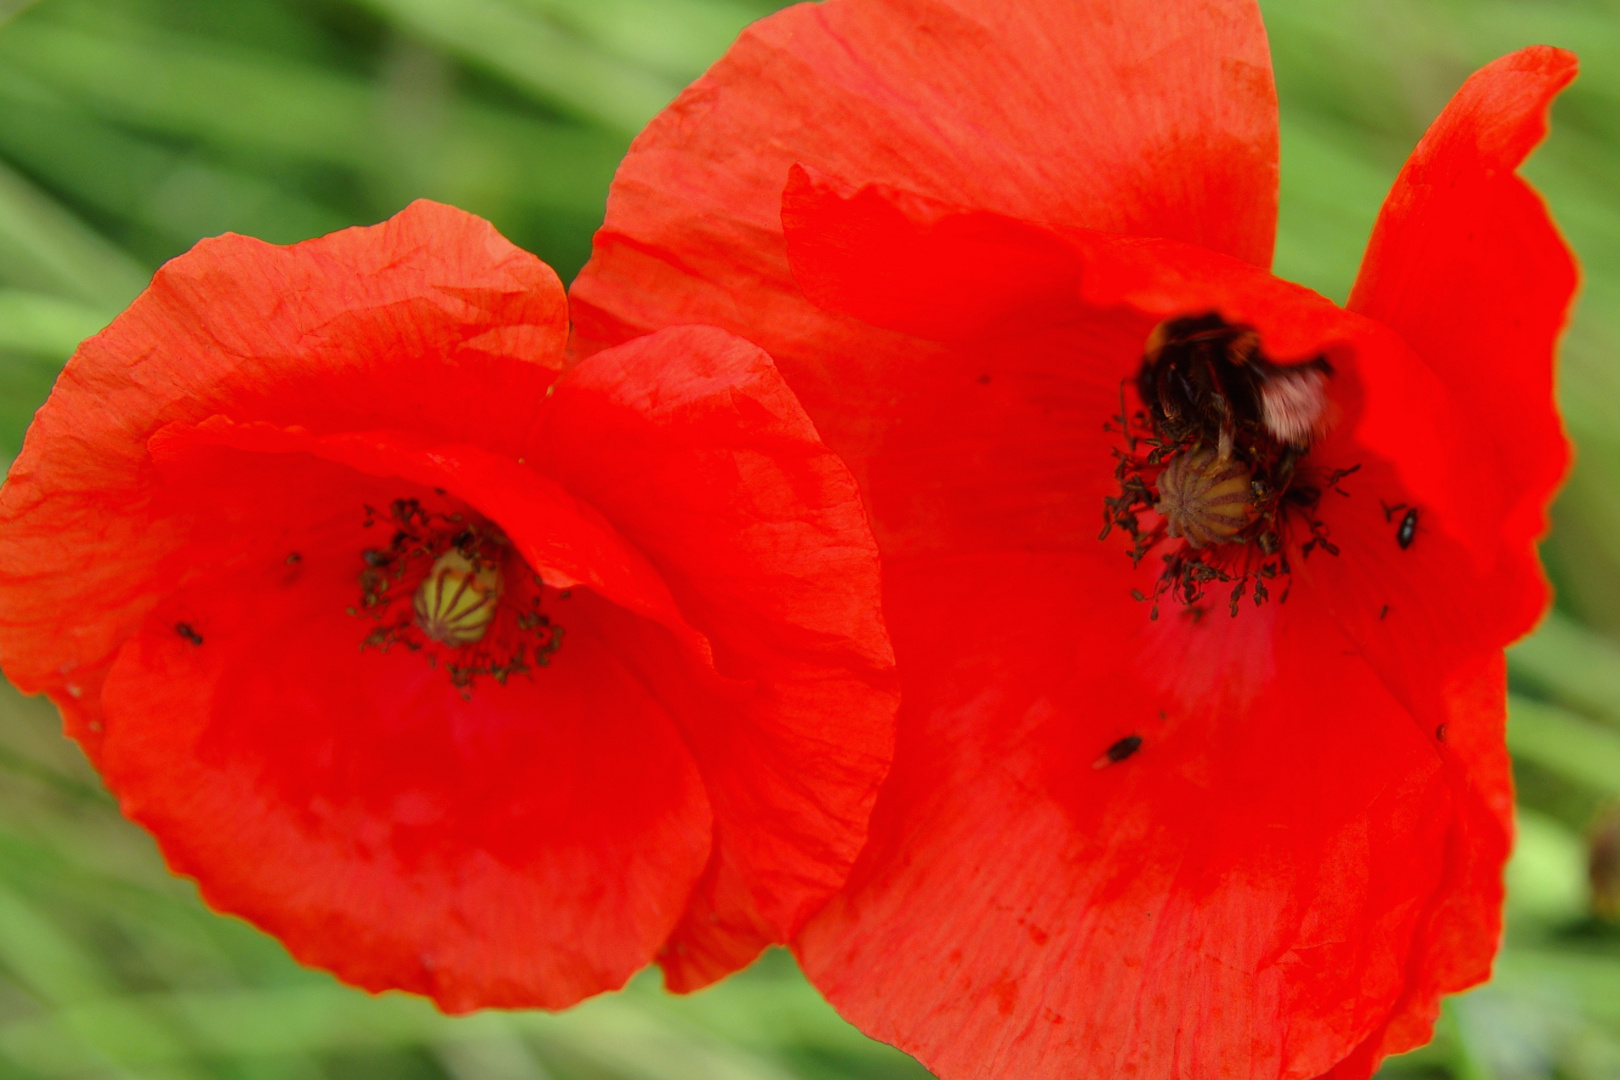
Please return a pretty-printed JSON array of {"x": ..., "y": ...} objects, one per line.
[{"x": 495, "y": 851}]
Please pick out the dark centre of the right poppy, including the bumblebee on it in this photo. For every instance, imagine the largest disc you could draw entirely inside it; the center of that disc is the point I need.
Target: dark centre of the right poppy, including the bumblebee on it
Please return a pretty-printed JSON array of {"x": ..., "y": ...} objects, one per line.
[{"x": 1217, "y": 456}]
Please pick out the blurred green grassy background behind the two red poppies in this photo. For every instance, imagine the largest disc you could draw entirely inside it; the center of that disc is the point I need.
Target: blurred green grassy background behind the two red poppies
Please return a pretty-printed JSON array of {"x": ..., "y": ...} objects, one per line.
[{"x": 130, "y": 129}]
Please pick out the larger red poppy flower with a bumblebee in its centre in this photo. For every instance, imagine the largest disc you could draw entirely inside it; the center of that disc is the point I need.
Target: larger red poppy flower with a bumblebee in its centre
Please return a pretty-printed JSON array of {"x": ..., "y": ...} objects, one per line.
[{"x": 1238, "y": 809}]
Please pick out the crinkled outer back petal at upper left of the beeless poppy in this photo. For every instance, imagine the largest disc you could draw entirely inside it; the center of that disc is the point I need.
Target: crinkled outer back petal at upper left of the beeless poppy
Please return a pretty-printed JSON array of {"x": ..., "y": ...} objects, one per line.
[{"x": 328, "y": 334}]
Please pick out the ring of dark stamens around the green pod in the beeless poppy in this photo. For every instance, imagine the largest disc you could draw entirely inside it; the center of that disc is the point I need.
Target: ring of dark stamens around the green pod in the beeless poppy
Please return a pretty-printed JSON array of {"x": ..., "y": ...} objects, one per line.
[{"x": 519, "y": 637}]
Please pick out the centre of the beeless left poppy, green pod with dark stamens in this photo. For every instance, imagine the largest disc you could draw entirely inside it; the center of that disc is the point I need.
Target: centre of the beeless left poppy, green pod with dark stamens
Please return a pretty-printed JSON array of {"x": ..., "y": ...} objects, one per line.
[{"x": 451, "y": 585}]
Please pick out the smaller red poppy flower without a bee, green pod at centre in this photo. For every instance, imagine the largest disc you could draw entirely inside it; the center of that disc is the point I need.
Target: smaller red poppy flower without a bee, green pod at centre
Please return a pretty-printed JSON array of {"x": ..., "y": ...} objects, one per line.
[{"x": 456, "y": 674}]
